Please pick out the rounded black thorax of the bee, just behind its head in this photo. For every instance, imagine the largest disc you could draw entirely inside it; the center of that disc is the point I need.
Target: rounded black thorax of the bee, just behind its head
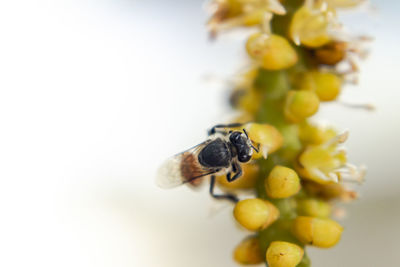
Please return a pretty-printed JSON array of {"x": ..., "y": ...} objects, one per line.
[{"x": 215, "y": 154}]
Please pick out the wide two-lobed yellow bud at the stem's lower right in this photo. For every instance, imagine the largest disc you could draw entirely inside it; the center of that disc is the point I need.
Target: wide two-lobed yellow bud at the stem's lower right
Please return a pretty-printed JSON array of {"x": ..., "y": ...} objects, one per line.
[{"x": 323, "y": 233}]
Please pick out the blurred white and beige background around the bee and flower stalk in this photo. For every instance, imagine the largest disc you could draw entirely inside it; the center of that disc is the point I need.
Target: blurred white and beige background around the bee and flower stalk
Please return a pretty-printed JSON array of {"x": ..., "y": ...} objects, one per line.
[{"x": 94, "y": 95}]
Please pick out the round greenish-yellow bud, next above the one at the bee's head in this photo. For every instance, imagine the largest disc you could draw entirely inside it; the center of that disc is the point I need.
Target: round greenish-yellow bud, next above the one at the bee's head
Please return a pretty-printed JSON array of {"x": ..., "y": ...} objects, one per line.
[{"x": 300, "y": 105}]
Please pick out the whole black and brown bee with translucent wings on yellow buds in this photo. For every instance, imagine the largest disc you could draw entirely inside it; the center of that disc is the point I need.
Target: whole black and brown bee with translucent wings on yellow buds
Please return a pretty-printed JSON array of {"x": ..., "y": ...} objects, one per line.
[{"x": 221, "y": 154}]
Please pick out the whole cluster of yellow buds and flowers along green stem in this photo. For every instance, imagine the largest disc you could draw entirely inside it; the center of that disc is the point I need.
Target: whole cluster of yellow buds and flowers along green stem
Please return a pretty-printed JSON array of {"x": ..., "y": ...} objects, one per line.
[{"x": 300, "y": 58}]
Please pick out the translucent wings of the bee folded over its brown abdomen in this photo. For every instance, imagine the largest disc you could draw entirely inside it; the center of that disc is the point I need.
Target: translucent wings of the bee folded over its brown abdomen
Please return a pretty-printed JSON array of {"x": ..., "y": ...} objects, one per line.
[{"x": 183, "y": 168}]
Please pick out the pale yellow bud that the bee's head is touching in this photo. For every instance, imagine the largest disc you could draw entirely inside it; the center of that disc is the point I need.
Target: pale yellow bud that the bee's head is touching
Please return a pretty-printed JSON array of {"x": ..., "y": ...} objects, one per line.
[{"x": 265, "y": 135}]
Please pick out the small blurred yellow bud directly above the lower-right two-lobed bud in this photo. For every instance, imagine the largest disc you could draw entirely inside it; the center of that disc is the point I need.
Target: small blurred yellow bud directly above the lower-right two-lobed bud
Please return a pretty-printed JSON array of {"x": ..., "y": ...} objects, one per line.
[{"x": 314, "y": 208}]
